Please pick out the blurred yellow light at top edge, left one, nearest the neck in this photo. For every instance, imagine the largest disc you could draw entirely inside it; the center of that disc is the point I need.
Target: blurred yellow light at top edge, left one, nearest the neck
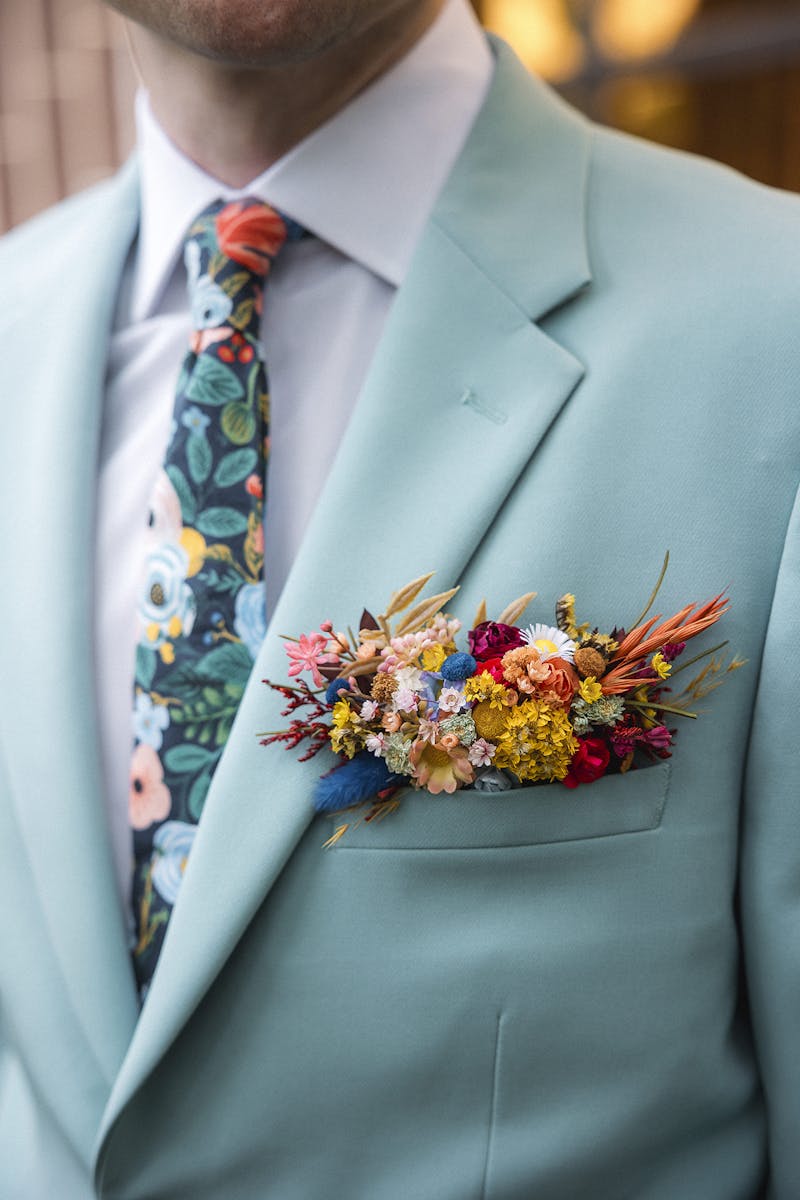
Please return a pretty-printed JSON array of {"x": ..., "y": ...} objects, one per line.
[{"x": 542, "y": 33}]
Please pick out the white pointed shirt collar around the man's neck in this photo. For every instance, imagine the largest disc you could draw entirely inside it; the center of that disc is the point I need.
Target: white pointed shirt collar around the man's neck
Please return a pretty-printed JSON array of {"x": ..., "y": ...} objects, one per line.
[{"x": 365, "y": 182}]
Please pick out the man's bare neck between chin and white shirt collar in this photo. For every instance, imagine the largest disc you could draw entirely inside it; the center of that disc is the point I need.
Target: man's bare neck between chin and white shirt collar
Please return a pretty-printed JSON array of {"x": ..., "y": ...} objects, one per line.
[{"x": 236, "y": 122}]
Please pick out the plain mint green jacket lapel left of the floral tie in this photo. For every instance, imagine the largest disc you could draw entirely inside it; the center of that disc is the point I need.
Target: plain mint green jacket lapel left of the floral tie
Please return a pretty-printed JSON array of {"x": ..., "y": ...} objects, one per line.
[{"x": 56, "y": 373}]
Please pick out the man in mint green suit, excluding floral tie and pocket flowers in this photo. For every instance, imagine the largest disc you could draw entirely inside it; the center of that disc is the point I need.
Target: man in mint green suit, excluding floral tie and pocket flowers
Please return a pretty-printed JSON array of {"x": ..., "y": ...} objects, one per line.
[{"x": 513, "y": 347}]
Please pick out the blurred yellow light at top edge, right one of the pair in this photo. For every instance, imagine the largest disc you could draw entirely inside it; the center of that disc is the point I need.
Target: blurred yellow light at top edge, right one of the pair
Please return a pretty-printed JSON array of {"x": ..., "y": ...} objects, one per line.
[{"x": 641, "y": 29}]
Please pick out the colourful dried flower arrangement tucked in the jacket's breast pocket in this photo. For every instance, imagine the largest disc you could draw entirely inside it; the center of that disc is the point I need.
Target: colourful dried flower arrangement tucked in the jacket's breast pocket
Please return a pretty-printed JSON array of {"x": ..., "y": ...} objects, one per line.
[{"x": 402, "y": 706}]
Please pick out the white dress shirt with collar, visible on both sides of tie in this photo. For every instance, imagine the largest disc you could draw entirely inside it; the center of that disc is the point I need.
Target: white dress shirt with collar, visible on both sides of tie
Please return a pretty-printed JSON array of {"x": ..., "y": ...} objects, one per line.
[{"x": 364, "y": 185}]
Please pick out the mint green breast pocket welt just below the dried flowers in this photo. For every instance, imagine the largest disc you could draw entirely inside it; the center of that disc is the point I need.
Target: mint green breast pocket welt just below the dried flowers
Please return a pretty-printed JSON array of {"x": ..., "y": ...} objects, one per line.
[{"x": 526, "y": 817}]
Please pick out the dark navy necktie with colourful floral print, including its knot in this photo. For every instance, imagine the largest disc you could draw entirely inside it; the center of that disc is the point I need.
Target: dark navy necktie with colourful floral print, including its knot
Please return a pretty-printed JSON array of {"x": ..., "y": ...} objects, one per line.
[{"x": 202, "y": 607}]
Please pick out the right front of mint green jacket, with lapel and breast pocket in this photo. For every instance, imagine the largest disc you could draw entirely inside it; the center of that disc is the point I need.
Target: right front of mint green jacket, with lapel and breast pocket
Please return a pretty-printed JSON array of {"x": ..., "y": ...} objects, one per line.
[{"x": 534, "y": 995}]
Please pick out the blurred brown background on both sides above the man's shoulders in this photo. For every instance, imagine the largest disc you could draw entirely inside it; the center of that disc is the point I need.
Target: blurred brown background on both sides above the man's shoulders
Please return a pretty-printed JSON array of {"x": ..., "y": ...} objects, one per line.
[{"x": 719, "y": 77}]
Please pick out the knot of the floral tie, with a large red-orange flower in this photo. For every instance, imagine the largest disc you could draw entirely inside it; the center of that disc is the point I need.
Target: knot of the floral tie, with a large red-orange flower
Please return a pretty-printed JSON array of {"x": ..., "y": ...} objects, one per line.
[{"x": 228, "y": 253}]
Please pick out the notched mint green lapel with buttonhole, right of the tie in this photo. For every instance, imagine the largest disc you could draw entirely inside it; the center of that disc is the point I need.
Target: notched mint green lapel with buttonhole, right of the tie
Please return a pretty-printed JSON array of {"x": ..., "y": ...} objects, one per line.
[{"x": 462, "y": 377}]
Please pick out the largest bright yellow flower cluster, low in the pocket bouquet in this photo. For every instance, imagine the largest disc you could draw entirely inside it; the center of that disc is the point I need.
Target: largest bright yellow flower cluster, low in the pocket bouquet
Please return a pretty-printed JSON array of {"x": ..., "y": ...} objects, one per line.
[{"x": 538, "y": 743}]
